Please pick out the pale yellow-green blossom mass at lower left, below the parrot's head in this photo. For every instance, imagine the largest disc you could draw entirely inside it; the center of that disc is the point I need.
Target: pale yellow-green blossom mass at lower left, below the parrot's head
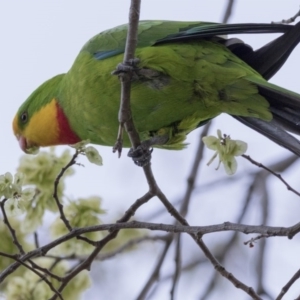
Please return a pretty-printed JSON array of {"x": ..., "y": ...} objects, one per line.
[{"x": 30, "y": 193}]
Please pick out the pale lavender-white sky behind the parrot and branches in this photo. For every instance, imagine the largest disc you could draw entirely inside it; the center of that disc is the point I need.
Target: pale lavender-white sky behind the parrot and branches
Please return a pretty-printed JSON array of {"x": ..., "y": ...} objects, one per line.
[{"x": 40, "y": 39}]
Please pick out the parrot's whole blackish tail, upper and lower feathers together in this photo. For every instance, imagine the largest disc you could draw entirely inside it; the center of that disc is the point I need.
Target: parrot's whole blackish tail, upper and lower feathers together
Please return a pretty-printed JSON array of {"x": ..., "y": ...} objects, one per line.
[{"x": 284, "y": 105}]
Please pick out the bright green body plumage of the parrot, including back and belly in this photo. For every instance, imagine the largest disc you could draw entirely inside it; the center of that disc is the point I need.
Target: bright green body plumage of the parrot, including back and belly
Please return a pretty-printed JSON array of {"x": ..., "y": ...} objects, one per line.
[{"x": 183, "y": 80}]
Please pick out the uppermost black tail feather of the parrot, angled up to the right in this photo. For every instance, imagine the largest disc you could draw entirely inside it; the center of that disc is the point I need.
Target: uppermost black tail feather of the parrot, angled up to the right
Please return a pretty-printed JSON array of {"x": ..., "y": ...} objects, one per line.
[{"x": 270, "y": 58}]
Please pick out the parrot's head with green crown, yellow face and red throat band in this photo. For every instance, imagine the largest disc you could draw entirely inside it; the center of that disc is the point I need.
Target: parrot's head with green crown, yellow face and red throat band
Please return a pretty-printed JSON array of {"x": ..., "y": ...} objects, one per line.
[{"x": 41, "y": 122}]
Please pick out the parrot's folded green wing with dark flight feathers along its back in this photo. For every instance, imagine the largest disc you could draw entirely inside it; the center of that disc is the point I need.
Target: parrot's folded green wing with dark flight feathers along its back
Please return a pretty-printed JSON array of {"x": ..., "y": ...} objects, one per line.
[{"x": 112, "y": 42}]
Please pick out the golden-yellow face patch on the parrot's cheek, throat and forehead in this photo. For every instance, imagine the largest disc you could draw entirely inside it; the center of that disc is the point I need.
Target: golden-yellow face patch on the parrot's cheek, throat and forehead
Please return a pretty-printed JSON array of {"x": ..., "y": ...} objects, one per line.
[{"x": 42, "y": 128}]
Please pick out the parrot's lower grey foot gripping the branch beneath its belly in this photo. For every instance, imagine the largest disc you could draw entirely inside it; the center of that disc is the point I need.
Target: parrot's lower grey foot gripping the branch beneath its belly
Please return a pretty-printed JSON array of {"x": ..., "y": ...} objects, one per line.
[{"x": 141, "y": 155}]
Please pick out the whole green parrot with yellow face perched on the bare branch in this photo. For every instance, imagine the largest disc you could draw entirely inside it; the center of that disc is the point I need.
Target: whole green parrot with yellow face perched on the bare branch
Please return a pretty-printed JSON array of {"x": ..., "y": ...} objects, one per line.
[{"x": 186, "y": 74}]
